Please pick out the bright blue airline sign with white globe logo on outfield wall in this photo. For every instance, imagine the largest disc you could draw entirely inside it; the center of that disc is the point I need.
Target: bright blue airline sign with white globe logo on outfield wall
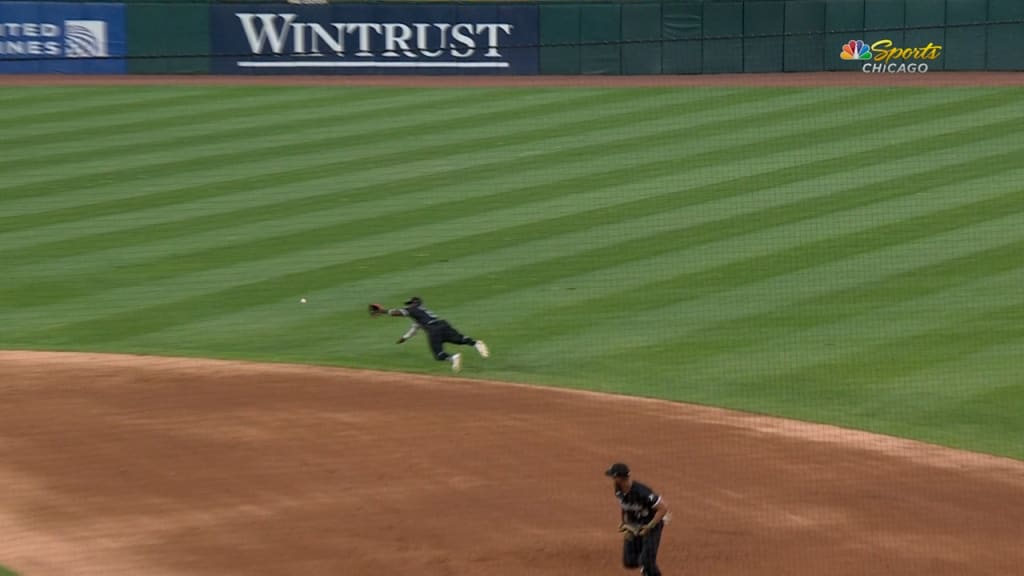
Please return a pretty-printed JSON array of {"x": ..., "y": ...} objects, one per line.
[{"x": 62, "y": 38}]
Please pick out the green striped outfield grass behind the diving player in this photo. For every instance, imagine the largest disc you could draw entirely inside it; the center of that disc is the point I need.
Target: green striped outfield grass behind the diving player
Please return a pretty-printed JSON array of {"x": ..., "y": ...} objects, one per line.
[{"x": 854, "y": 257}]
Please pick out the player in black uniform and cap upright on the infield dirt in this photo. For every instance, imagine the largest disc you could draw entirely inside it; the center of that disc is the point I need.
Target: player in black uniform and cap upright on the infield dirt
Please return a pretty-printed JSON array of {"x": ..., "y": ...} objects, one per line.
[{"x": 643, "y": 521}]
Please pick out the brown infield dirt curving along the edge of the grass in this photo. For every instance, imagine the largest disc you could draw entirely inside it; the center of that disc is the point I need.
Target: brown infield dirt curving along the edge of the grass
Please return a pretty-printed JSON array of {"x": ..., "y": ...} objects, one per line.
[{"x": 117, "y": 465}]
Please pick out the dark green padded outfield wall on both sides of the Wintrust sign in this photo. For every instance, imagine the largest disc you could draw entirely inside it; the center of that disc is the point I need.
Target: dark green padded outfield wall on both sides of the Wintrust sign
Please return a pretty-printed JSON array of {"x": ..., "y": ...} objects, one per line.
[{"x": 678, "y": 37}]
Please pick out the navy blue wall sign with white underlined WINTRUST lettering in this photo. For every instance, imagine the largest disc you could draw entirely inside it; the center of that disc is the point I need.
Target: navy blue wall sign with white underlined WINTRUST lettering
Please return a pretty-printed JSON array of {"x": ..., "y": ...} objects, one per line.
[{"x": 374, "y": 39}]
